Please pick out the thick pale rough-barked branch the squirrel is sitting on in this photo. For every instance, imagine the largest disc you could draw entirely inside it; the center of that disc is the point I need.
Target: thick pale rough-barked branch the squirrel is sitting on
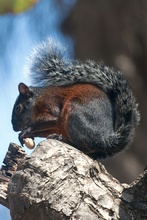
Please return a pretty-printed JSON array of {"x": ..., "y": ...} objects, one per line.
[{"x": 59, "y": 182}]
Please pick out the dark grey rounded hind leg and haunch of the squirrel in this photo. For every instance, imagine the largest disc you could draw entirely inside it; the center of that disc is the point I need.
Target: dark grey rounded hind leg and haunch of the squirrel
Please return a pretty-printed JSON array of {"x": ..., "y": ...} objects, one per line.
[{"x": 90, "y": 126}]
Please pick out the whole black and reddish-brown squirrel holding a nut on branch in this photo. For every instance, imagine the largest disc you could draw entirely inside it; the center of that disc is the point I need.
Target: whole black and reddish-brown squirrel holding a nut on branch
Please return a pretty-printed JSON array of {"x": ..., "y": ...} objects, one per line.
[{"x": 85, "y": 103}]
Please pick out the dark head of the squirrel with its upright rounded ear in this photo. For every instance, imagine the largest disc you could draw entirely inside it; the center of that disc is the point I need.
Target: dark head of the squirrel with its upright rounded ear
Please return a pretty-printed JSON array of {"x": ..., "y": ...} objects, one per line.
[{"x": 21, "y": 115}]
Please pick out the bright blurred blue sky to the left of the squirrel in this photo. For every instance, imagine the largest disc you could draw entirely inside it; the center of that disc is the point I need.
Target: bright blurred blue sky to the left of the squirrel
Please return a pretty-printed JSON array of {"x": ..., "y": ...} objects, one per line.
[{"x": 18, "y": 34}]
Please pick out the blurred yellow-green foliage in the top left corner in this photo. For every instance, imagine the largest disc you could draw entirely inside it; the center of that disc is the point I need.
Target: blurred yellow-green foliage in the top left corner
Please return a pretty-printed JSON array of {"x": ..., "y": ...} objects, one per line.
[{"x": 15, "y": 6}]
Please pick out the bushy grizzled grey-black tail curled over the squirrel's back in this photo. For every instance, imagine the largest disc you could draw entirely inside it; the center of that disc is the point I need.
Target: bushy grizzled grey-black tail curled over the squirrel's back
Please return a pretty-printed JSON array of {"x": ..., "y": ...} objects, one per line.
[{"x": 49, "y": 68}]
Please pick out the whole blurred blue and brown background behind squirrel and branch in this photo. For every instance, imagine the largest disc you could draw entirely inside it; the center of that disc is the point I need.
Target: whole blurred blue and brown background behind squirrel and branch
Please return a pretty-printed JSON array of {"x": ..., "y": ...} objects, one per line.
[{"x": 112, "y": 30}]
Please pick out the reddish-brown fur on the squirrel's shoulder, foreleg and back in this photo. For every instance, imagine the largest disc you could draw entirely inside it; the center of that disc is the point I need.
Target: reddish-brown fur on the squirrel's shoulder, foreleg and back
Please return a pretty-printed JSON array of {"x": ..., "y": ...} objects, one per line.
[{"x": 56, "y": 104}]
